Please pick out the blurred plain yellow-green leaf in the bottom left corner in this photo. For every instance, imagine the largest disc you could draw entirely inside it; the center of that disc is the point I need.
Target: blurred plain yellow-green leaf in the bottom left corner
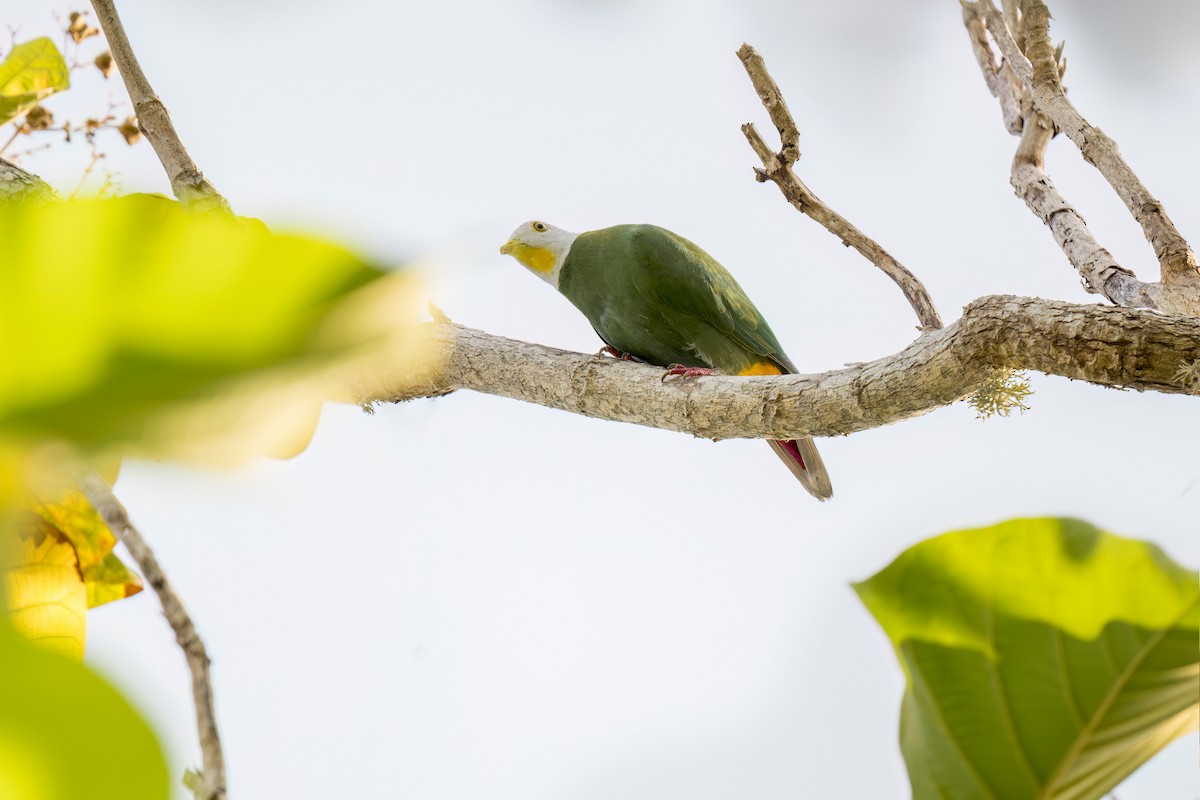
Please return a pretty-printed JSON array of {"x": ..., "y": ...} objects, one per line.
[{"x": 67, "y": 735}]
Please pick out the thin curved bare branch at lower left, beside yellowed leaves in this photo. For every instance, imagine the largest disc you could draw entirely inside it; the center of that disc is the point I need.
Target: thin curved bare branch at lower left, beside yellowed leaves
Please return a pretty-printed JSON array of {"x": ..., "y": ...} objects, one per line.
[{"x": 118, "y": 521}]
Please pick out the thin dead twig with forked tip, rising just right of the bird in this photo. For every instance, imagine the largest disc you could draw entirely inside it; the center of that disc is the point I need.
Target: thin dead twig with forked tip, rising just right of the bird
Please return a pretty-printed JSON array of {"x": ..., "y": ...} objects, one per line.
[{"x": 777, "y": 167}]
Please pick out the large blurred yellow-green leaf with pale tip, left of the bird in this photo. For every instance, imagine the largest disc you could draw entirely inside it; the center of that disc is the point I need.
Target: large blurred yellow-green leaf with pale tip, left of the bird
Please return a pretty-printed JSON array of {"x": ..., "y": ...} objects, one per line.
[{"x": 129, "y": 322}]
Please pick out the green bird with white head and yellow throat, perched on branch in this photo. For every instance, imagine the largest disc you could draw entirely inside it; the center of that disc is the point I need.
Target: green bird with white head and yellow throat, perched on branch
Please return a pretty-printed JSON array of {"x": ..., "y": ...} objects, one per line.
[{"x": 658, "y": 298}]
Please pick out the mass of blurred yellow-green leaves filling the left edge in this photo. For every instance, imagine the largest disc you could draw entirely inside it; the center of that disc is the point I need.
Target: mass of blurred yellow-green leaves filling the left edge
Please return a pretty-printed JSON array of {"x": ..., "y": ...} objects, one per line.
[{"x": 129, "y": 327}]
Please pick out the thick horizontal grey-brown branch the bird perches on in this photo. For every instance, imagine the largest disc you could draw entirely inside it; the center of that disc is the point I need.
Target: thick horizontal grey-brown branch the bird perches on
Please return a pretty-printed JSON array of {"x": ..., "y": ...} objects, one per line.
[{"x": 1106, "y": 346}]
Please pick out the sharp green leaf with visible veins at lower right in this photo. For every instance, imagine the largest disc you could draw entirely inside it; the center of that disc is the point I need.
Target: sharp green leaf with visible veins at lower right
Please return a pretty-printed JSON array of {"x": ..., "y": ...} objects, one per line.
[{"x": 1045, "y": 658}]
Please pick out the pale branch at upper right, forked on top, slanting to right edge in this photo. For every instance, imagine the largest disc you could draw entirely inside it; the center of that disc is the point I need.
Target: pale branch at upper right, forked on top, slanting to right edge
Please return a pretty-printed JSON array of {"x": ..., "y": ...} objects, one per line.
[{"x": 1180, "y": 291}]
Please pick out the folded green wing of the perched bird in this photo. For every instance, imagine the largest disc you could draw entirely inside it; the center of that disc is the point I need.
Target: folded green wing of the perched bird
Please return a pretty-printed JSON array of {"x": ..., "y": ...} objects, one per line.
[{"x": 694, "y": 284}]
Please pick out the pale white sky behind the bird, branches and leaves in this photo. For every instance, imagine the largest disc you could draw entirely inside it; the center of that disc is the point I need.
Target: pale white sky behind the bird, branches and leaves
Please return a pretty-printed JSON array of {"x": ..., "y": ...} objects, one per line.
[{"x": 472, "y": 598}]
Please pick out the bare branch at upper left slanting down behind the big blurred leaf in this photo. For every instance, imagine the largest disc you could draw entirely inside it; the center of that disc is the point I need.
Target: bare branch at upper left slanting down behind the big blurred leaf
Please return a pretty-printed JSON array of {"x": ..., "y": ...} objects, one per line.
[{"x": 189, "y": 184}]
